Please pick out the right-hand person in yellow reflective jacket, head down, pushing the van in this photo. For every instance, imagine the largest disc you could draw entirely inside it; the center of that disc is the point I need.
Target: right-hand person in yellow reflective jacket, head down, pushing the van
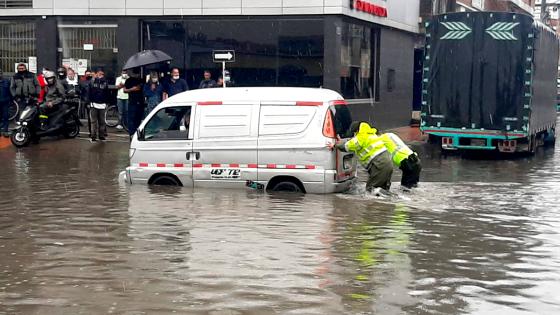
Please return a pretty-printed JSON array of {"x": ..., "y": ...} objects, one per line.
[{"x": 404, "y": 158}]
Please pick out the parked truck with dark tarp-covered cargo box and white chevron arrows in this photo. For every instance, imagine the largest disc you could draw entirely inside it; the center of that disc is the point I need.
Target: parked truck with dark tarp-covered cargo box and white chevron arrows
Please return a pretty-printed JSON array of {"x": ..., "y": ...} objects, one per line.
[{"x": 489, "y": 82}]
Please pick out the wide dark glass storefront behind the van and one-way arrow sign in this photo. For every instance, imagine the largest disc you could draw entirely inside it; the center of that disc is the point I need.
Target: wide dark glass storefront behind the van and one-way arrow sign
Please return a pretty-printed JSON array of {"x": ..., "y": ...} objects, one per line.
[{"x": 268, "y": 52}]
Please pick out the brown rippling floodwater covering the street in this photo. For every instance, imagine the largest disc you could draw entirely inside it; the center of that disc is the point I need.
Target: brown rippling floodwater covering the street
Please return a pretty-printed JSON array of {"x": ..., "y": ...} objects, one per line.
[{"x": 478, "y": 237}]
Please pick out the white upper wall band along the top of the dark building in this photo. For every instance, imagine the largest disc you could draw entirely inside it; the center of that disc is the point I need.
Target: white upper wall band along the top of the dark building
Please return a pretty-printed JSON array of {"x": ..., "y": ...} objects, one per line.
[{"x": 402, "y": 14}]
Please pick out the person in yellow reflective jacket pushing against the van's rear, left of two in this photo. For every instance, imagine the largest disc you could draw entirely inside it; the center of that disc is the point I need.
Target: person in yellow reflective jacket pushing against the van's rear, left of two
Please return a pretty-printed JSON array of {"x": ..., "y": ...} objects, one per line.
[{"x": 371, "y": 152}]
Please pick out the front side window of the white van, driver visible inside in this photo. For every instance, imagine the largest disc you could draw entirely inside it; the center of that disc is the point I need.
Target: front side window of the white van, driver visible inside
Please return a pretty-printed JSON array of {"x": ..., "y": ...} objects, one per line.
[{"x": 171, "y": 123}]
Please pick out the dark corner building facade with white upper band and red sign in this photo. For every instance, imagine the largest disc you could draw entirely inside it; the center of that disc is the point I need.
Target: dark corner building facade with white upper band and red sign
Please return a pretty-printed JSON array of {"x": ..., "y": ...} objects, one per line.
[{"x": 362, "y": 48}]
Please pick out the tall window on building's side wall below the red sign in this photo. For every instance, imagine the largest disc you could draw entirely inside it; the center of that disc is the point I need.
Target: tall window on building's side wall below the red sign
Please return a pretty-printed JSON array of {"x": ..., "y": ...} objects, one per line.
[{"x": 359, "y": 57}]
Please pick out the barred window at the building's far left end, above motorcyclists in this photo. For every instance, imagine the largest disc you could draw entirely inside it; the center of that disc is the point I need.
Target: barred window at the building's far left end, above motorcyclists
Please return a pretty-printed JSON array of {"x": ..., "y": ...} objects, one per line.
[{"x": 17, "y": 44}]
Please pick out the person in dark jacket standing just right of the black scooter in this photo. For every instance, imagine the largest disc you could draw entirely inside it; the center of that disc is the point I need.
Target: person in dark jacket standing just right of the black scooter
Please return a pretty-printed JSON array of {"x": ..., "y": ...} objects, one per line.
[{"x": 99, "y": 96}]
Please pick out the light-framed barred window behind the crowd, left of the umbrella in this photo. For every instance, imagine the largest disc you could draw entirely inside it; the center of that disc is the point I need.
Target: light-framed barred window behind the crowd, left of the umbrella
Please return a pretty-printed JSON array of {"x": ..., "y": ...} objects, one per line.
[{"x": 103, "y": 39}]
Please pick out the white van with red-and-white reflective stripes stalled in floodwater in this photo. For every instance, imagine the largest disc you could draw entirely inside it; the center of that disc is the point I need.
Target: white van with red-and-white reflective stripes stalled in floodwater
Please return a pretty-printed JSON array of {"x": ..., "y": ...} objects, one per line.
[{"x": 228, "y": 137}]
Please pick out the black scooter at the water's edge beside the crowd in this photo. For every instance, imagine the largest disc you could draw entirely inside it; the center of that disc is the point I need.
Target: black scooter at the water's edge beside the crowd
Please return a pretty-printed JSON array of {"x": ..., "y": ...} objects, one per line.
[{"x": 31, "y": 125}]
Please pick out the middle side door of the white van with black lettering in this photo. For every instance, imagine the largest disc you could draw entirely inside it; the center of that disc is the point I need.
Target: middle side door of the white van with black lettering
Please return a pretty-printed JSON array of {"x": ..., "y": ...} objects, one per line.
[{"x": 225, "y": 144}]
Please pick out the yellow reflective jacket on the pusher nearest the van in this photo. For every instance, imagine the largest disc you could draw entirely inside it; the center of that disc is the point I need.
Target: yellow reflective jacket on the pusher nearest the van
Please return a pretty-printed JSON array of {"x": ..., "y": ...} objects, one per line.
[{"x": 366, "y": 144}]
